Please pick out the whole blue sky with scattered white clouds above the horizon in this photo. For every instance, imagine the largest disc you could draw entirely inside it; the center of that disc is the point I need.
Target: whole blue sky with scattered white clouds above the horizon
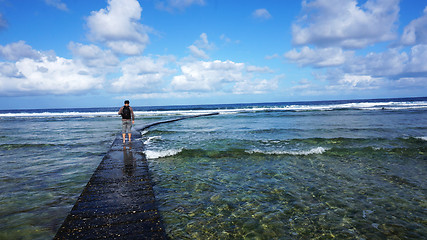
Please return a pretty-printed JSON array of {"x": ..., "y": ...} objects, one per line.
[{"x": 79, "y": 53}]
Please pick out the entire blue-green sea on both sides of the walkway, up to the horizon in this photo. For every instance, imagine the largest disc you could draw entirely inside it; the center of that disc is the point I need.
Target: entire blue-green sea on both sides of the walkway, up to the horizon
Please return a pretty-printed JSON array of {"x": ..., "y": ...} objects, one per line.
[{"x": 353, "y": 169}]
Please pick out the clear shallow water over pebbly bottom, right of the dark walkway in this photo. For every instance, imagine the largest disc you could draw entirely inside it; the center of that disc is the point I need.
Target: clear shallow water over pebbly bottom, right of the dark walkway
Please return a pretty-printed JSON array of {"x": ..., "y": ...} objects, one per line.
[{"x": 348, "y": 175}]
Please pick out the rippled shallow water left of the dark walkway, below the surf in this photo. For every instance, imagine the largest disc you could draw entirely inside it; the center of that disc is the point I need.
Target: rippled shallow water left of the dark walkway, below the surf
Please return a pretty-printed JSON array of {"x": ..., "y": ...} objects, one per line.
[{"x": 45, "y": 165}]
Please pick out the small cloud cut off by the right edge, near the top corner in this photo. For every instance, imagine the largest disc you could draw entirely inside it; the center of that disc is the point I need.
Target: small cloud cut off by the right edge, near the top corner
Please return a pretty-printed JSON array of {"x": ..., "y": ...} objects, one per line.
[{"x": 416, "y": 31}]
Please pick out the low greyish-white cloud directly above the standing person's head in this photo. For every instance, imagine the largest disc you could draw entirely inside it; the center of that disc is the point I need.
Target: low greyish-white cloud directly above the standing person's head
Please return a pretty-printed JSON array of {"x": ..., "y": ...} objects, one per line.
[{"x": 143, "y": 74}]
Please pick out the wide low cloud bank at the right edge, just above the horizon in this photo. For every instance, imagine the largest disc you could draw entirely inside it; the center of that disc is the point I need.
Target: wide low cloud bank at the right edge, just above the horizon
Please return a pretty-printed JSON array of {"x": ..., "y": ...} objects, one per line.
[{"x": 391, "y": 69}]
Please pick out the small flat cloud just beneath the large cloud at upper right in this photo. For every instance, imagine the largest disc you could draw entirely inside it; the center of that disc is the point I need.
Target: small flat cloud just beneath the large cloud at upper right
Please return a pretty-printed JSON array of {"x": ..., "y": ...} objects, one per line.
[{"x": 323, "y": 57}]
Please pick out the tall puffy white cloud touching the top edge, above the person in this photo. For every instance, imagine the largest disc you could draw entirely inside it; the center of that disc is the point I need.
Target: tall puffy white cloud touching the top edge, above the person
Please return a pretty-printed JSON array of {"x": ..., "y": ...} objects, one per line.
[{"x": 118, "y": 27}]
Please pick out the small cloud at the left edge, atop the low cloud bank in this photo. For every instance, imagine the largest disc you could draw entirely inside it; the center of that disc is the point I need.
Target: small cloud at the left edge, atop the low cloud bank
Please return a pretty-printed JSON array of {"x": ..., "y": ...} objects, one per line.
[{"x": 18, "y": 50}]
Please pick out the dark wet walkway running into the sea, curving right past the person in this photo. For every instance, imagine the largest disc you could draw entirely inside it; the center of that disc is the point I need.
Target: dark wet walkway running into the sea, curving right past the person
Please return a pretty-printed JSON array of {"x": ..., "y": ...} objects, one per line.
[{"x": 119, "y": 202}]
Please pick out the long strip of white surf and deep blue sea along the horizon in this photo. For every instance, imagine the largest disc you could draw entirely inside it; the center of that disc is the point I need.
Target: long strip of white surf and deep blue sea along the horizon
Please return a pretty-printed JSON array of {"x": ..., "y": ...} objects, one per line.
[{"x": 392, "y": 104}]
